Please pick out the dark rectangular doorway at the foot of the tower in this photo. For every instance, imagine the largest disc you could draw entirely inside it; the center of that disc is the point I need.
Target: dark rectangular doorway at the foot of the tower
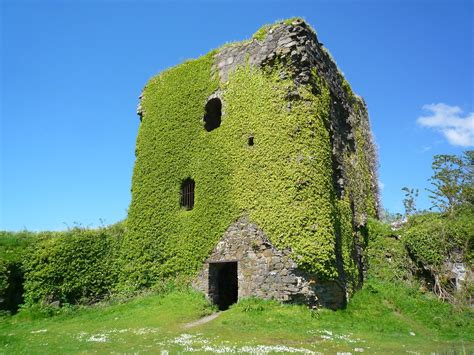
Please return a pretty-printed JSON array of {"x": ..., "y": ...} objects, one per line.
[{"x": 223, "y": 284}]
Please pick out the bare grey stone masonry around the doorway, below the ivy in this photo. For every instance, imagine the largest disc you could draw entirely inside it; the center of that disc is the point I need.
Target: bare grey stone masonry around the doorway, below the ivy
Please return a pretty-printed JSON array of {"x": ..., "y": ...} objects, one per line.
[{"x": 266, "y": 272}]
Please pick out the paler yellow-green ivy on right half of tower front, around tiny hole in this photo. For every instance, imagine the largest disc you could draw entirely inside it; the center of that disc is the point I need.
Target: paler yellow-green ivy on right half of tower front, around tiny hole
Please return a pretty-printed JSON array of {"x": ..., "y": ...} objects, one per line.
[{"x": 284, "y": 182}]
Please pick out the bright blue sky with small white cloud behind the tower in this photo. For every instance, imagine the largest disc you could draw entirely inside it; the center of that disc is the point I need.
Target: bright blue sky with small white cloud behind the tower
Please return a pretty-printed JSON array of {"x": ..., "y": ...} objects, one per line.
[{"x": 72, "y": 71}]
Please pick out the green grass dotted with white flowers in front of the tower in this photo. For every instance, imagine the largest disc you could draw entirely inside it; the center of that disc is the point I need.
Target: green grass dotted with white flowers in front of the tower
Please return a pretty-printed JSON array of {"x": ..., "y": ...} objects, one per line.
[{"x": 380, "y": 318}]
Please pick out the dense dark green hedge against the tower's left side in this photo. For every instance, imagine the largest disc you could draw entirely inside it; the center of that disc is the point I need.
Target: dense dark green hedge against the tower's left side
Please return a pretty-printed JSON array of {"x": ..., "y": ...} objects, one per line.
[{"x": 77, "y": 266}]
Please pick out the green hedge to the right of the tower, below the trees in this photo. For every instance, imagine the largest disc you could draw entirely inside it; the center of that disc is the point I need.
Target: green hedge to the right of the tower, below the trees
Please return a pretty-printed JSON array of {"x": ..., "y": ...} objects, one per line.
[{"x": 420, "y": 248}]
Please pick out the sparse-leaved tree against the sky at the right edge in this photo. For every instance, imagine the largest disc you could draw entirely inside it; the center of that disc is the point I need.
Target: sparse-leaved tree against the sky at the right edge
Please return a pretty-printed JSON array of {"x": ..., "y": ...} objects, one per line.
[{"x": 452, "y": 181}]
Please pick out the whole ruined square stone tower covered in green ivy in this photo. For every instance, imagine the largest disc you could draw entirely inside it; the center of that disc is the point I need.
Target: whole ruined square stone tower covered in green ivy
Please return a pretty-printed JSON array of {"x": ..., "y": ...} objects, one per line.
[{"x": 255, "y": 174}]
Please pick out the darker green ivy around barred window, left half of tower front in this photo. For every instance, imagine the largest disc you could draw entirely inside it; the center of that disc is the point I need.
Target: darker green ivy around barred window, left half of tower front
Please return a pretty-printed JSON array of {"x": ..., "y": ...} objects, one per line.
[{"x": 163, "y": 238}]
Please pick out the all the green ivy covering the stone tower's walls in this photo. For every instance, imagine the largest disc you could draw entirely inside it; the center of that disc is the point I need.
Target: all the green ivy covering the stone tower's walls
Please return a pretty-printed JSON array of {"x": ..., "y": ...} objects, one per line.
[{"x": 286, "y": 182}]
